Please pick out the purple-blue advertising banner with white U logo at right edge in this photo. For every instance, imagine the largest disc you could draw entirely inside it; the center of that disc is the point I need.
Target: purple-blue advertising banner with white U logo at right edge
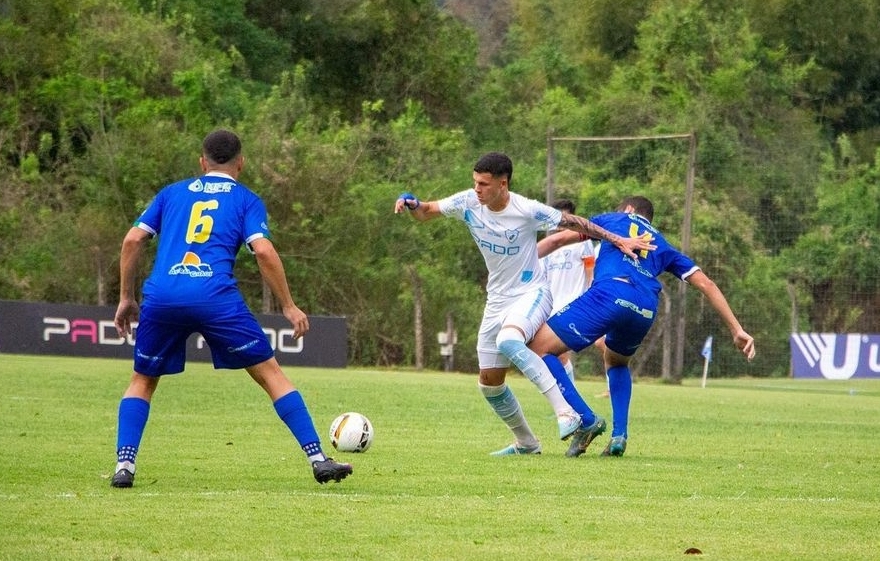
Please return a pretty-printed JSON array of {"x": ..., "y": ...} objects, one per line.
[{"x": 835, "y": 356}]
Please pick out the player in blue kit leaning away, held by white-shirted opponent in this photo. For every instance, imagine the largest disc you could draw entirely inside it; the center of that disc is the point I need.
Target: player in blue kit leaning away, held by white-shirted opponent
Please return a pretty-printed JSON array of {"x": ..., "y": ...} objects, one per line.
[{"x": 621, "y": 304}]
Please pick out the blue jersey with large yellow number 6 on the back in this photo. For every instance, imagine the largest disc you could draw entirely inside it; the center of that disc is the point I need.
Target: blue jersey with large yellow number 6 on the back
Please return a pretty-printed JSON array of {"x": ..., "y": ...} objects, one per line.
[{"x": 201, "y": 223}]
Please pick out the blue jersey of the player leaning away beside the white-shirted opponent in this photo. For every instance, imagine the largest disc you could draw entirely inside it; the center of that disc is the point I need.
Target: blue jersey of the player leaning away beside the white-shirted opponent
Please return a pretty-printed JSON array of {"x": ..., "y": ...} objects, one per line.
[{"x": 612, "y": 263}]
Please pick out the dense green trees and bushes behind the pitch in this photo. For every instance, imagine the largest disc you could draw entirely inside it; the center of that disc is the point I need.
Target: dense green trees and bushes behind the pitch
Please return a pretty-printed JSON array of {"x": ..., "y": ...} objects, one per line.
[{"x": 342, "y": 105}]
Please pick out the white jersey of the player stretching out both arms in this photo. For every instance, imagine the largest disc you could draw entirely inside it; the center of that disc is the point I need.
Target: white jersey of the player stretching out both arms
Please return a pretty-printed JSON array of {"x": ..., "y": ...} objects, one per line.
[{"x": 507, "y": 239}]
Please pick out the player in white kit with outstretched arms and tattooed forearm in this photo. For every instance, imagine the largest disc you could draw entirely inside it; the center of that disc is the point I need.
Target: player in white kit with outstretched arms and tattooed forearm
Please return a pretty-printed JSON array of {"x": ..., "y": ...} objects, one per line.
[{"x": 504, "y": 225}]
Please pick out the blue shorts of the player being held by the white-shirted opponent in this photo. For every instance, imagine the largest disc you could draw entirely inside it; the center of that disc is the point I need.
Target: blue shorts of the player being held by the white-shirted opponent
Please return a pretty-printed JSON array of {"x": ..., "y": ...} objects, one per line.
[{"x": 612, "y": 308}]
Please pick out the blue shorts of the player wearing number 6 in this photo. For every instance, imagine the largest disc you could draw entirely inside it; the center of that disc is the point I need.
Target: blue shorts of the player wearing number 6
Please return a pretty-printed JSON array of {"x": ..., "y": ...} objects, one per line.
[{"x": 230, "y": 329}]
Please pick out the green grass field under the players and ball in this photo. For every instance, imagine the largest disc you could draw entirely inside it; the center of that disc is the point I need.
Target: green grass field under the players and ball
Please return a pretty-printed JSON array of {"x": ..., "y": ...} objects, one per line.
[{"x": 742, "y": 470}]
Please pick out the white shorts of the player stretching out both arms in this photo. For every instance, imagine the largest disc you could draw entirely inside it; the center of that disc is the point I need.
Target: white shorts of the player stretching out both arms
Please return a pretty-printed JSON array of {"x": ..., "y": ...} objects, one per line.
[{"x": 527, "y": 311}]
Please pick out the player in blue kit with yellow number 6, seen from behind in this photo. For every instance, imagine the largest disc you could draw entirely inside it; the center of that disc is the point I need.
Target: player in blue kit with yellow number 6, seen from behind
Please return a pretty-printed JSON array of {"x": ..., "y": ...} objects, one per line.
[{"x": 201, "y": 224}]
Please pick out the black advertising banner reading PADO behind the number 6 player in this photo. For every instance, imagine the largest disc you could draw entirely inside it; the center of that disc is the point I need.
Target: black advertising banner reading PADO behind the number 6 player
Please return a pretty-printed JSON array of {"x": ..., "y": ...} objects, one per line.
[{"x": 88, "y": 331}]
